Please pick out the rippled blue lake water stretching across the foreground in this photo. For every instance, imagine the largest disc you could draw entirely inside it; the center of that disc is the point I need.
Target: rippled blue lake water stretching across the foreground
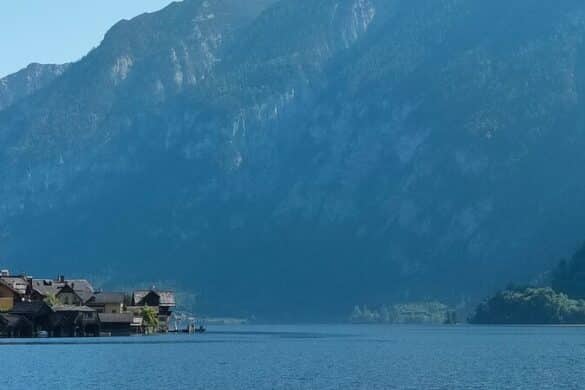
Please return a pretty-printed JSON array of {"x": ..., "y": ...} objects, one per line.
[{"x": 305, "y": 357}]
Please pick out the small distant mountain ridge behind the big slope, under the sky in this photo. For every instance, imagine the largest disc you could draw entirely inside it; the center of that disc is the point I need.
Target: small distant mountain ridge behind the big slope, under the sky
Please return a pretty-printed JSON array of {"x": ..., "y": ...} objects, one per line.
[{"x": 27, "y": 81}]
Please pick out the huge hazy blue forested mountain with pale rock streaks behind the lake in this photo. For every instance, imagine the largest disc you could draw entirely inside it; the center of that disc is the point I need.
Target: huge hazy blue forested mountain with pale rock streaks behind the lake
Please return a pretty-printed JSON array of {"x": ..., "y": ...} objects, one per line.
[{"x": 292, "y": 159}]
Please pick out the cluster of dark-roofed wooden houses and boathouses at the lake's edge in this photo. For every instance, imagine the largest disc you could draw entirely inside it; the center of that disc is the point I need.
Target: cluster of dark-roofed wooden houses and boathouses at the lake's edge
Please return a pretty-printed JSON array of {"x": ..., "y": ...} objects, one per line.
[{"x": 73, "y": 308}]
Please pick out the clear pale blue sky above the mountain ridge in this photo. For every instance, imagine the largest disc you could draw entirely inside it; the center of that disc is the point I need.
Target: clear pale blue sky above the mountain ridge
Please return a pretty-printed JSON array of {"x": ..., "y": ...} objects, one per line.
[{"x": 58, "y": 31}]
